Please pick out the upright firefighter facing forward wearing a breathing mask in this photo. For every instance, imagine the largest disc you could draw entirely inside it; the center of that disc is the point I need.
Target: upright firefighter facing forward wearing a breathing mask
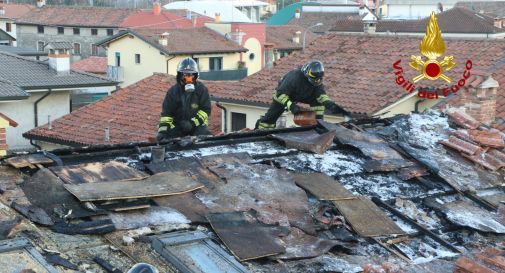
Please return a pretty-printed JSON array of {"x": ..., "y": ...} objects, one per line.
[{"x": 186, "y": 108}]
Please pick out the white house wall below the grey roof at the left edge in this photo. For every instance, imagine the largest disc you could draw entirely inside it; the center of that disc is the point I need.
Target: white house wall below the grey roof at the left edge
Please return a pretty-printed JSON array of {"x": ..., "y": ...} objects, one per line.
[{"x": 57, "y": 105}]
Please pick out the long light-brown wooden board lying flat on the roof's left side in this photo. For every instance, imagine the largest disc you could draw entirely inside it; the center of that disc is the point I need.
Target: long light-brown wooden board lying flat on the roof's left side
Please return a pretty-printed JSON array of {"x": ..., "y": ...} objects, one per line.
[{"x": 161, "y": 184}]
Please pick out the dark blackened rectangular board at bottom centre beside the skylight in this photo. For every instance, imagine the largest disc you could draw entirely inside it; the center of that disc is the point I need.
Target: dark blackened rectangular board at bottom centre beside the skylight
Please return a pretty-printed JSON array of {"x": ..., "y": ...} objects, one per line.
[{"x": 247, "y": 239}]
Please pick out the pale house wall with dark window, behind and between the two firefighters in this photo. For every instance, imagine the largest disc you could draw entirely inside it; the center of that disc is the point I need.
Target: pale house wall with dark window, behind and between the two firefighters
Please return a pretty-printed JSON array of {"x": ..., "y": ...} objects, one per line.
[{"x": 253, "y": 113}]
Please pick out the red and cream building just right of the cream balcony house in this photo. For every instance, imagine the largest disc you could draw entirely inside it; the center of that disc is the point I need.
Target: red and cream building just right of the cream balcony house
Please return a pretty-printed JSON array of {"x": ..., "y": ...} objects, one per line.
[{"x": 251, "y": 36}]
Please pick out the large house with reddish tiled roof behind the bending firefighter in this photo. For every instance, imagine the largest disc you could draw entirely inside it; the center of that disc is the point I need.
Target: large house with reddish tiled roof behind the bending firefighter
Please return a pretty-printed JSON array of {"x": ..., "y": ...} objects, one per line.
[{"x": 356, "y": 76}]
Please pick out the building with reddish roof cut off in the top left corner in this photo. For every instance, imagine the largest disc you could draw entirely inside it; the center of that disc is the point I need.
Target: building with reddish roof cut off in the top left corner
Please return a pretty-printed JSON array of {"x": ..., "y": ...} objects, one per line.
[{"x": 9, "y": 13}]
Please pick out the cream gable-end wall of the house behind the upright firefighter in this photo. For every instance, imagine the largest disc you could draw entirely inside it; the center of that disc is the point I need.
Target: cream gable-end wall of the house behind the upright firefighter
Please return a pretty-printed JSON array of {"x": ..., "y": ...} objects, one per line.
[{"x": 151, "y": 60}]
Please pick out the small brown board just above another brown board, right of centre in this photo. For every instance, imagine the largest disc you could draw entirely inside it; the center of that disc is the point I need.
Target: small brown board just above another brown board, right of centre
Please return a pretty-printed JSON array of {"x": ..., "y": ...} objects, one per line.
[{"x": 322, "y": 186}]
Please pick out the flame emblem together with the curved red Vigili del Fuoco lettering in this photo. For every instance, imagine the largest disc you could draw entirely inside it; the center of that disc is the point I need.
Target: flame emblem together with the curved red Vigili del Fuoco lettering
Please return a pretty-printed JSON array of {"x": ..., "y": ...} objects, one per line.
[{"x": 432, "y": 48}]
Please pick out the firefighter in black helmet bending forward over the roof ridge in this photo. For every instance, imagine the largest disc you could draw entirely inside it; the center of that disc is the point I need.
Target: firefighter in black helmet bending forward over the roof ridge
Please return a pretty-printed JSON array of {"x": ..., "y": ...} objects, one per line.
[{"x": 303, "y": 85}]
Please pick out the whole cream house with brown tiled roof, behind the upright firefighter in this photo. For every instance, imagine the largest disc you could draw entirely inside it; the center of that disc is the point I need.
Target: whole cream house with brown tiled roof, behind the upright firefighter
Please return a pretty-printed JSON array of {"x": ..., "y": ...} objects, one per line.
[{"x": 137, "y": 54}]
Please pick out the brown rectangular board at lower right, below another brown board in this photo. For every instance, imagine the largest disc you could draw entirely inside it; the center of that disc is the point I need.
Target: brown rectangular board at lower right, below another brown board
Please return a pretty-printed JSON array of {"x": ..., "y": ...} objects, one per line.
[{"x": 366, "y": 218}]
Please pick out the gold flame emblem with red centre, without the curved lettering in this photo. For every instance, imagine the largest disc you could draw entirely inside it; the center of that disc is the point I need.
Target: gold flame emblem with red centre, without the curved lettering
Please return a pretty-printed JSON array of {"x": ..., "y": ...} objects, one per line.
[{"x": 432, "y": 47}]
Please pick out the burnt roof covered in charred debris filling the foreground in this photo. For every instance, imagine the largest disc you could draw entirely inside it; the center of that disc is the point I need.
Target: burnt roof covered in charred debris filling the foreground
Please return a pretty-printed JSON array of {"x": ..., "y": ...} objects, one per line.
[{"x": 414, "y": 193}]
